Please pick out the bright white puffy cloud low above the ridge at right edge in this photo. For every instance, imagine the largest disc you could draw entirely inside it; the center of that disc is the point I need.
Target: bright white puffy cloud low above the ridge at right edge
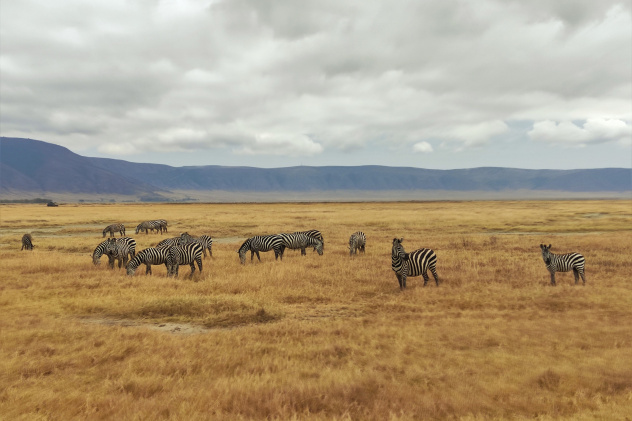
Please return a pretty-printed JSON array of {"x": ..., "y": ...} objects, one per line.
[{"x": 596, "y": 130}]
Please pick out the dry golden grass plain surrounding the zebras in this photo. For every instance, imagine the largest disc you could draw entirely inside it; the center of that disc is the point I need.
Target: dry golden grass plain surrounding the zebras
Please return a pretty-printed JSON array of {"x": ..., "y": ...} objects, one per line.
[{"x": 314, "y": 337}]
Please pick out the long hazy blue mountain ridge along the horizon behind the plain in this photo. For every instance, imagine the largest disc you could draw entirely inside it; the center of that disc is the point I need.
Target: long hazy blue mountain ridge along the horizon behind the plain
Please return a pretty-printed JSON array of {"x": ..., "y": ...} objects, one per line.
[{"x": 28, "y": 165}]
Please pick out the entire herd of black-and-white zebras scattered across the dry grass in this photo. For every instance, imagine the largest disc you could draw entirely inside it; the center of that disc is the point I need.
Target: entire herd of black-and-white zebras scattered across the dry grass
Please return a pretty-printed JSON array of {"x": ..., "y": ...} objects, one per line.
[{"x": 188, "y": 250}]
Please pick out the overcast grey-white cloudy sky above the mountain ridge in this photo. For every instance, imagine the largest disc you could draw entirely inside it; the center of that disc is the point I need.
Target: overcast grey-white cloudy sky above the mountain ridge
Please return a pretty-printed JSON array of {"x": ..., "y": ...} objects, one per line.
[{"x": 433, "y": 83}]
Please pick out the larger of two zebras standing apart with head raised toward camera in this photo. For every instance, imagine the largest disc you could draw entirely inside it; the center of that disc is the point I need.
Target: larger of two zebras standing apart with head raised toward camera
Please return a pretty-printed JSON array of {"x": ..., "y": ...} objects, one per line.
[{"x": 414, "y": 263}]
